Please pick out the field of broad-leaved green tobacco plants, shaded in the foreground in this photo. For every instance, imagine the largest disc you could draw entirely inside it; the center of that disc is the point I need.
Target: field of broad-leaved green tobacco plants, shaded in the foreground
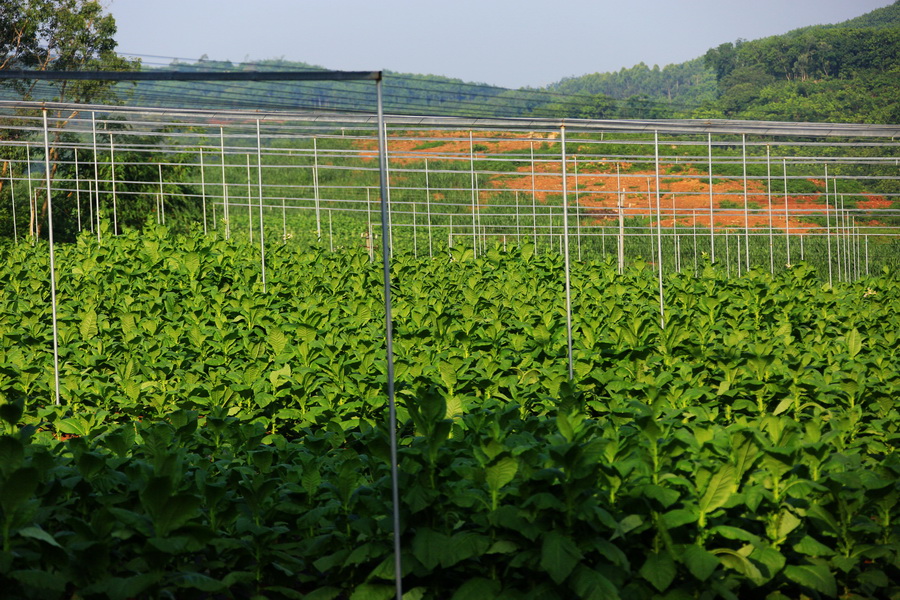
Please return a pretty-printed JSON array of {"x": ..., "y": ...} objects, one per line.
[{"x": 219, "y": 440}]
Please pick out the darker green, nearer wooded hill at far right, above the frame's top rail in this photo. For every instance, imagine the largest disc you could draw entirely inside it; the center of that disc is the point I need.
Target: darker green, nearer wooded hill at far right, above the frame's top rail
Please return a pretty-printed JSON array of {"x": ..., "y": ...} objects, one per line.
[{"x": 844, "y": 72}]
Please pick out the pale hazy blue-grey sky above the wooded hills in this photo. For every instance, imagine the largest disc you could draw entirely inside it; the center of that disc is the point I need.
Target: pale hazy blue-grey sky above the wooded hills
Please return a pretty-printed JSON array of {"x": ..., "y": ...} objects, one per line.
[{"x": 511, "y": 43}]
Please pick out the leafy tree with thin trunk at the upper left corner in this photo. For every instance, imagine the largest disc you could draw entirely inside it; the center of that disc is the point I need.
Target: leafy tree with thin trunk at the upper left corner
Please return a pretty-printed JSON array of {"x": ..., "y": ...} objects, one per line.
[{"x": 57, "y": 35}]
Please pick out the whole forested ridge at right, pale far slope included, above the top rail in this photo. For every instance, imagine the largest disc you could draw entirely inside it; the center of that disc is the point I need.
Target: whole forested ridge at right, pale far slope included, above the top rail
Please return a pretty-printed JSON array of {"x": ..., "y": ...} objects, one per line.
[{"x": 846, "y": 72}]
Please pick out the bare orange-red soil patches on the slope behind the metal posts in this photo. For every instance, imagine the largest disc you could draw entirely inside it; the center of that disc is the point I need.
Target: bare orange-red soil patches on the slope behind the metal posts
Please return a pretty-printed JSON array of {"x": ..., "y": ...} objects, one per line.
[{"x": 684, "y": 200}]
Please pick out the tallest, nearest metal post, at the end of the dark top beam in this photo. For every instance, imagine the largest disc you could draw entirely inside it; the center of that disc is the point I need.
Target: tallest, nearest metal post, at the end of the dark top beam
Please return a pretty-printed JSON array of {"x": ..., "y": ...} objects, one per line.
[{"x": 389, "y": 345}]
